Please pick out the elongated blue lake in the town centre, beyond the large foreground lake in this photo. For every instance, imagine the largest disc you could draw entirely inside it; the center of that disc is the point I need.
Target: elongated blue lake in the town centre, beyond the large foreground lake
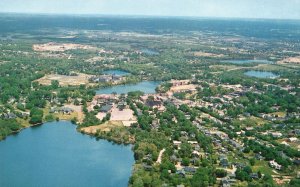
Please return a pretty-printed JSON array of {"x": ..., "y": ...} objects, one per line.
[{"x": 148, "y": 87}]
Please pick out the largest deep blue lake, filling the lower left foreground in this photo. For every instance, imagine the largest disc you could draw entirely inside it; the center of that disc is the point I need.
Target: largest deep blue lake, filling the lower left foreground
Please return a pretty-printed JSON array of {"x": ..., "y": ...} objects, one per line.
[{"x": 55, "y": 154}]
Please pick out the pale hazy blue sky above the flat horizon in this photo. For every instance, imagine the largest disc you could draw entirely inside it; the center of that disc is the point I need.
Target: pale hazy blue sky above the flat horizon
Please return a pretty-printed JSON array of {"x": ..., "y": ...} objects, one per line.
[{"x": 278, "y": 9}]
